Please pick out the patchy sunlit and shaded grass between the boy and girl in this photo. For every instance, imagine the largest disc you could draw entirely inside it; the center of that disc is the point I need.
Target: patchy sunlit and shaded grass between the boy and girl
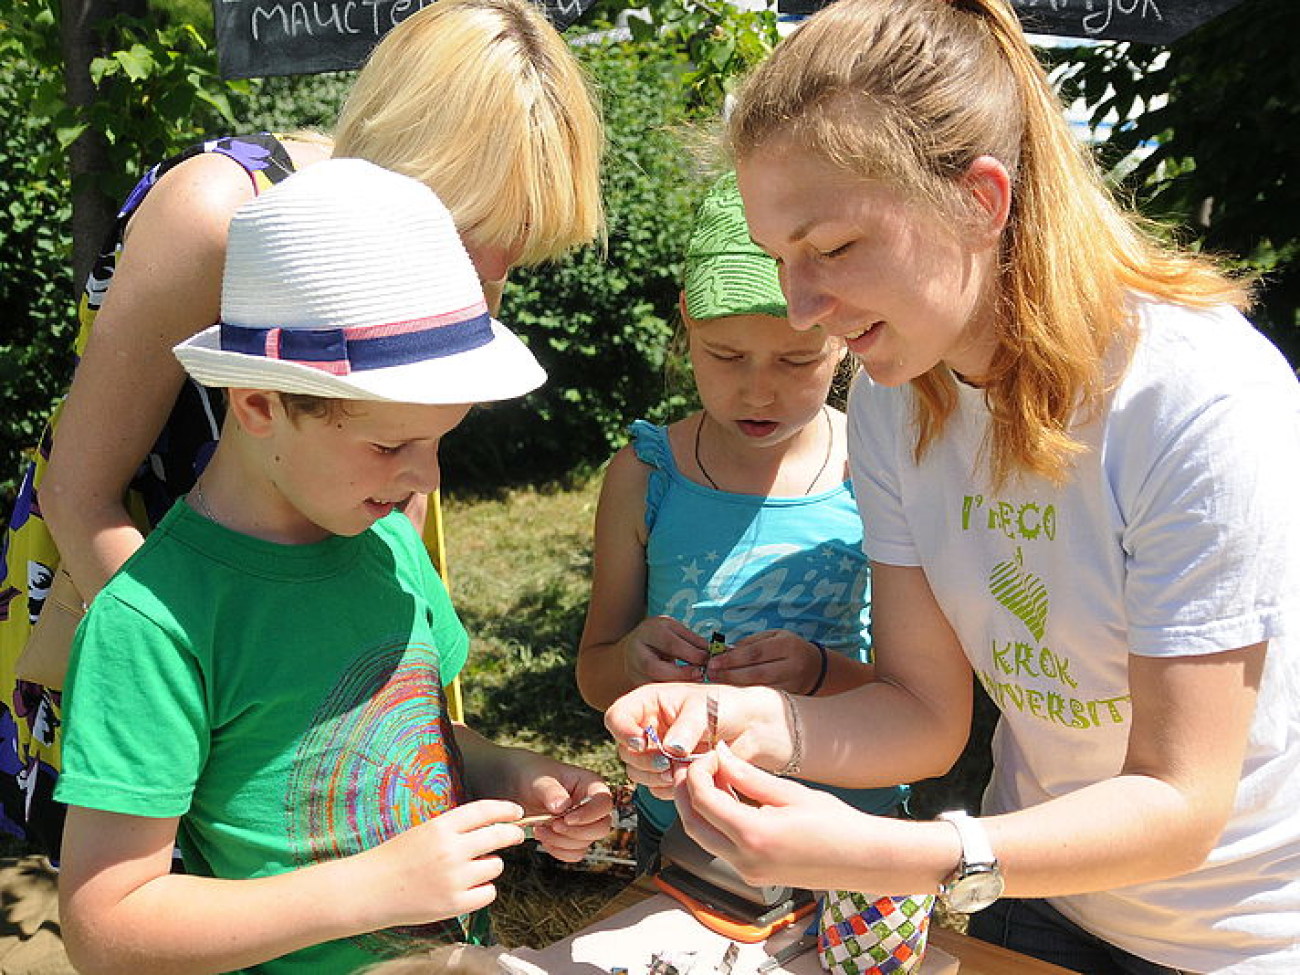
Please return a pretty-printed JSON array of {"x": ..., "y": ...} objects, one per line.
[{"x": 519, "y": 575}]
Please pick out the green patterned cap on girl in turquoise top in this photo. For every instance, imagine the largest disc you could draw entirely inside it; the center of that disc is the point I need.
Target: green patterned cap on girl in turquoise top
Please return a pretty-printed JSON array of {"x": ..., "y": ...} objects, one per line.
[{"x": 726, "y": 272}]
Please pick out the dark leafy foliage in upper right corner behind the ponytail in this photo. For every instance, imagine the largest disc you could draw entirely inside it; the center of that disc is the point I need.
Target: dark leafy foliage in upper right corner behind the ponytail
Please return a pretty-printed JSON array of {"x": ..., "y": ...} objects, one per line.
[{"x": 1215, "y": 118}]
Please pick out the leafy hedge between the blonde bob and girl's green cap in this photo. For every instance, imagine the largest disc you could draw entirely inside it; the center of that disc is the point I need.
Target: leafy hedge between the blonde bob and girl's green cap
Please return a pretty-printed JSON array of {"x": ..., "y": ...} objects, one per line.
[{"x": 600, "y": 323}]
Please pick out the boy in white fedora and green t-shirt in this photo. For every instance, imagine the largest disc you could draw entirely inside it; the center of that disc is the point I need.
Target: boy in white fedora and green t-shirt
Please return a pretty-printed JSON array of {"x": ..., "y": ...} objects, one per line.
[{"x": 262, "y": 683}]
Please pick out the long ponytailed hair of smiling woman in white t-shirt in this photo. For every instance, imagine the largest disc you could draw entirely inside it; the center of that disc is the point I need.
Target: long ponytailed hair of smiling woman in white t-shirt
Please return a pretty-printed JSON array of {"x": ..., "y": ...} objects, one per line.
[{"x": 909, "y": 93}]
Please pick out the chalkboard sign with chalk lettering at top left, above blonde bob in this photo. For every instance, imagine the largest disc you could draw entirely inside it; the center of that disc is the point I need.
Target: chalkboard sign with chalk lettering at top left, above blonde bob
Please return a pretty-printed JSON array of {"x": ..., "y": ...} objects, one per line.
[{"x": 261, "y": 38}]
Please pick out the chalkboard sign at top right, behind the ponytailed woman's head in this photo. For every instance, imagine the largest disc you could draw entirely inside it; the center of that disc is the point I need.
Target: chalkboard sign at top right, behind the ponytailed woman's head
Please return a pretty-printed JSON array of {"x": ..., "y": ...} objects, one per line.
[{"x": 1145, "y": 21}]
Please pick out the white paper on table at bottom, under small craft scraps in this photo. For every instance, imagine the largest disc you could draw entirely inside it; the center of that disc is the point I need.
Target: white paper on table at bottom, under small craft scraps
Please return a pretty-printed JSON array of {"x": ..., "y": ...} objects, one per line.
[{"x": 660, "y": 925}]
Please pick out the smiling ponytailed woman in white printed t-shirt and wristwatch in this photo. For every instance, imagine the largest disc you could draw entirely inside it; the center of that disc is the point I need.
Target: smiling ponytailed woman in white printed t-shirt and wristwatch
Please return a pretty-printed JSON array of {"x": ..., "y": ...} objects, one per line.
[{"x": 1077, "y": 466}]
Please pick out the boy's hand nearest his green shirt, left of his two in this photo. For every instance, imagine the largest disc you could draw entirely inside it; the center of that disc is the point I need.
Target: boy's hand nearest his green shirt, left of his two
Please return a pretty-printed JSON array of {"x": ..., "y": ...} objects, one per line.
[{"x": 445, "y": 866}]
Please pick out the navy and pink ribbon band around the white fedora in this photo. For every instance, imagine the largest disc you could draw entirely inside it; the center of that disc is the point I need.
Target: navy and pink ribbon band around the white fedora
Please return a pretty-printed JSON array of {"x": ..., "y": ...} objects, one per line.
[{"x": 359, "y": 348}]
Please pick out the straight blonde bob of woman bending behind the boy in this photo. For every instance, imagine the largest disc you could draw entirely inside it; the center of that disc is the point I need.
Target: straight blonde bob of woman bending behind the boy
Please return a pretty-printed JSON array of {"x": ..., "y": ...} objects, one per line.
[{"x": 483, "y": 102}]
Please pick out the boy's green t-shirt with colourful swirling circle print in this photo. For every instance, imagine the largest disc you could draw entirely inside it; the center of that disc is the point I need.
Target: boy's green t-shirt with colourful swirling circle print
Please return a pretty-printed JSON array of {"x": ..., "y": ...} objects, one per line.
[{"x": 284, "y": 700}]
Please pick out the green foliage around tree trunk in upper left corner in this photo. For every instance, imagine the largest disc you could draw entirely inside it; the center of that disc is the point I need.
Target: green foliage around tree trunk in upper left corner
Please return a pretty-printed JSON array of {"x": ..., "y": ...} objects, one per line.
[{"x": 158, "y": 92}]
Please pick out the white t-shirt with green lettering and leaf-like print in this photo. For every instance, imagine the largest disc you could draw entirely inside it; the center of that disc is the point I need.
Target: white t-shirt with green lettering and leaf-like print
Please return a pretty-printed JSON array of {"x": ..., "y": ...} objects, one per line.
[{"x": 1178, "y": 534}]
